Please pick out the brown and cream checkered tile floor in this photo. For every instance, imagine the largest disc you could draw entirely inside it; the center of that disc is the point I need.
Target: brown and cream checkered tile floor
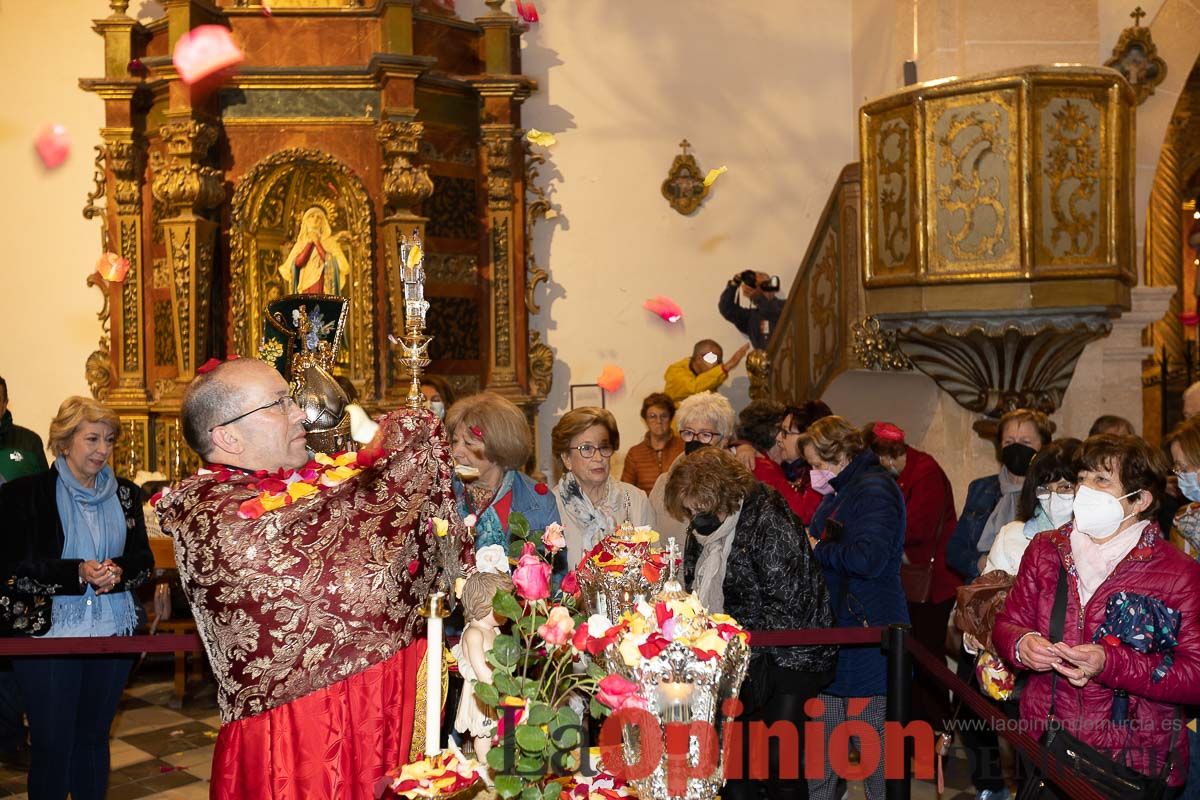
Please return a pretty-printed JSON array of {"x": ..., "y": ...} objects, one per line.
[{"x": 160, "y": 754}]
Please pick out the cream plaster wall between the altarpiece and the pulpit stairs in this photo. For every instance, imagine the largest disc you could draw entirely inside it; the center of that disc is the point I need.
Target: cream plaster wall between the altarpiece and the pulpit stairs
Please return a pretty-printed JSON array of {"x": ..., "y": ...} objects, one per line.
[{"x": 761, "y": 88}]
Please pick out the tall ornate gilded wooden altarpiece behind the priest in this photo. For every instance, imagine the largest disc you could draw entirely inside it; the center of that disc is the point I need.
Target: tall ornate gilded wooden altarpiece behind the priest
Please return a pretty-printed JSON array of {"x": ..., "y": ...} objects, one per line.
[{"x": 387, "y": 116}]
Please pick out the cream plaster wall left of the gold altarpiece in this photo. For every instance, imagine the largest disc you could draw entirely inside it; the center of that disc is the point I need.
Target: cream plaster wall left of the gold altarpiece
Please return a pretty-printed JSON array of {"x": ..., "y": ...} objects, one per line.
[{"x": 47, "y": 314}]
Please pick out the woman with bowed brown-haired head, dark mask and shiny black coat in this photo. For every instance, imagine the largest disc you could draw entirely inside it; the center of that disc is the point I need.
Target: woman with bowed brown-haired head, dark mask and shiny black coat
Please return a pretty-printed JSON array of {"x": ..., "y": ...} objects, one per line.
[{"x": 748, "y": 557}]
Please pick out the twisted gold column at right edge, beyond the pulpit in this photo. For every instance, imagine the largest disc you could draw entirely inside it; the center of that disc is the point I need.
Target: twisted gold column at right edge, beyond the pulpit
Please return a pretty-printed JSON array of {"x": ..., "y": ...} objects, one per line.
[{"x": 1165, "y": 234}]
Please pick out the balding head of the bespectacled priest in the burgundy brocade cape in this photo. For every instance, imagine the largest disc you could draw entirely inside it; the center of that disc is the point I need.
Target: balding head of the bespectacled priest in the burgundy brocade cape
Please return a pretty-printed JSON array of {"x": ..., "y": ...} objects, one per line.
[{"x": 242, "y": 414}]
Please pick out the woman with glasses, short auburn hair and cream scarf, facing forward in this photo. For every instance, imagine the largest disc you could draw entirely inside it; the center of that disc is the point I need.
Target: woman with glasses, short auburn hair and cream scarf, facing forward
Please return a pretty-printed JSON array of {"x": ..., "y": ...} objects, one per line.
[{"x": 591, "y": 502}]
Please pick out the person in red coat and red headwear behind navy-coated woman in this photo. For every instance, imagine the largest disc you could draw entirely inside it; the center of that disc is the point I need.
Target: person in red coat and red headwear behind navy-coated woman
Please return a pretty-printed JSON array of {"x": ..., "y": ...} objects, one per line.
[{"x": 931, "y": 521}]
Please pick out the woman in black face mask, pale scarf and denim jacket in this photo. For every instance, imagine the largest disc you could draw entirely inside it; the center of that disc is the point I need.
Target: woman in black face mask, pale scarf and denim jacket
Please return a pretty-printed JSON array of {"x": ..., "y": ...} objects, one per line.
[{"x": 992, "y": 501}]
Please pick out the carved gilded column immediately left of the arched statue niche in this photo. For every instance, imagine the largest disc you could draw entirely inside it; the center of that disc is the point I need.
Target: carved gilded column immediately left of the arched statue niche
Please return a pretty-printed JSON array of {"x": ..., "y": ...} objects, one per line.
[{"x": 187, "y": 190}]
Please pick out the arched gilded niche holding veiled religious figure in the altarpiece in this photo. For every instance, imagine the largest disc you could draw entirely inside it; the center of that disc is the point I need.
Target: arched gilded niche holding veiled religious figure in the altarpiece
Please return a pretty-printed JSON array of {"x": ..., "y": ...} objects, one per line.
[{"x": 302, "y": 224}]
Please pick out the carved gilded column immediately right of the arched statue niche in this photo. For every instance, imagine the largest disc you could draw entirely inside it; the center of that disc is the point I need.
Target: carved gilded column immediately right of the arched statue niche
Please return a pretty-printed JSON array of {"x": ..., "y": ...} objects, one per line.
[{"x": 406, "y": 185}]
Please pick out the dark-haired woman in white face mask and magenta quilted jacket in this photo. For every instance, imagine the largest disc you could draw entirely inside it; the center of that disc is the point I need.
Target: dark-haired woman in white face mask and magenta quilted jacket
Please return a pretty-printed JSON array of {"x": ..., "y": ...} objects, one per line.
[{"x": 1114, "y": 550}]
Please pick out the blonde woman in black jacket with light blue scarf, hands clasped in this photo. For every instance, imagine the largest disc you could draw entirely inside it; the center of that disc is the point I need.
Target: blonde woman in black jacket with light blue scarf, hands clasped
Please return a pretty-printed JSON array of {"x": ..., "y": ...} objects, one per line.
[{"x": 75, "y": 548}]
